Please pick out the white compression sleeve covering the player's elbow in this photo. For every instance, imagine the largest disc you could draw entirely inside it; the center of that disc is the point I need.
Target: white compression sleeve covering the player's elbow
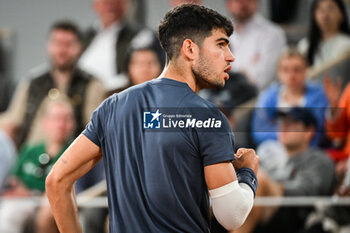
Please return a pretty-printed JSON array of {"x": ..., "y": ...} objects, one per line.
[{"x": 231, "y": 204}]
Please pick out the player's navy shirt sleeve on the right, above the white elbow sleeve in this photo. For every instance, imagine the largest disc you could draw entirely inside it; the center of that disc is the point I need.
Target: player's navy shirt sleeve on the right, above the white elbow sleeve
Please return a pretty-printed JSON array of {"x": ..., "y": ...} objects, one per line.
[{"x": 216, "y": 145}]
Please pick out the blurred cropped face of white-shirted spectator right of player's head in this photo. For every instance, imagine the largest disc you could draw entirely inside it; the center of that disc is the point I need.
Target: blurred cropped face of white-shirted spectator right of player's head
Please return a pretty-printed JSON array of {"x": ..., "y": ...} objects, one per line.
[{"x": 242, "y": 10}]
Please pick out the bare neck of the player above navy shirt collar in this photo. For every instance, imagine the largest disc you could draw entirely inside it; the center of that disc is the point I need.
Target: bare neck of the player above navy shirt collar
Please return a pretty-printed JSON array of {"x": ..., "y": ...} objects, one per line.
[{"x": 172, "y": 71}]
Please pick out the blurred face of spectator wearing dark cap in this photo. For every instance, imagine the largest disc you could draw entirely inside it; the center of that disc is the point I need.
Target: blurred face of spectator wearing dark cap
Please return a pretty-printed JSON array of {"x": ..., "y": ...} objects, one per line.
[{"x": 294, "y": 134}]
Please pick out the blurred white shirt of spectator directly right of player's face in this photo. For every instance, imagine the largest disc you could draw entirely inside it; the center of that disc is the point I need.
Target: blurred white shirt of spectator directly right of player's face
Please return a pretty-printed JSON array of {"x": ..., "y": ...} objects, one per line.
[{"x": 257, "y": 47}]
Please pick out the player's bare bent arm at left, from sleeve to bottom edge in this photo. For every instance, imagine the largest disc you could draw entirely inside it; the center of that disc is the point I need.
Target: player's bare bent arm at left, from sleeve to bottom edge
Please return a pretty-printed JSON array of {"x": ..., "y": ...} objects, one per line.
[{"x": 77, "y": 160}]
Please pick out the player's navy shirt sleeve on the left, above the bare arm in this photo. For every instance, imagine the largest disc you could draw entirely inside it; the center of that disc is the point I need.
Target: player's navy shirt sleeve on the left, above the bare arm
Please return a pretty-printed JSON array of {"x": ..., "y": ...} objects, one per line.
[{"x": 95, "y": 129}]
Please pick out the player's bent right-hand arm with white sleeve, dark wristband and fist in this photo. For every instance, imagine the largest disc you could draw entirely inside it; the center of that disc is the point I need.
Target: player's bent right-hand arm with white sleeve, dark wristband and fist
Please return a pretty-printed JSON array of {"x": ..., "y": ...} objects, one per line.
[{"x": 232, "y": 193}]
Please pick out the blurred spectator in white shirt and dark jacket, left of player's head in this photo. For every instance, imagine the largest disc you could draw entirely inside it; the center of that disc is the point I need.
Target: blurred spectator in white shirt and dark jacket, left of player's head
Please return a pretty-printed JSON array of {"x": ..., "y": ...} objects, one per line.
[{"x": 107, "y": 43}]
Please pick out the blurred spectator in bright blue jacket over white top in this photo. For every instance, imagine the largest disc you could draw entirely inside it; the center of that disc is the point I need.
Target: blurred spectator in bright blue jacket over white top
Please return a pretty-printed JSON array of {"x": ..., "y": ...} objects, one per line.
[{"x": 293, "y": 90}]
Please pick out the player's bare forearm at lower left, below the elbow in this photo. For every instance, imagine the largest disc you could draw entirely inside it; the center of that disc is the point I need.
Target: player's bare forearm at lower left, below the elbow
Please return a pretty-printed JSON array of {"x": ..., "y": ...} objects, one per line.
[{"x": 64, "y": 207}]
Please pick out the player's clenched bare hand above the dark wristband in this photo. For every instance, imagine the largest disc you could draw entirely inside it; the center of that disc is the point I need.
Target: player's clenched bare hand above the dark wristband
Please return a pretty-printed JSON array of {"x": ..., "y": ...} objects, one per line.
[{"x": 246, "y": 158}]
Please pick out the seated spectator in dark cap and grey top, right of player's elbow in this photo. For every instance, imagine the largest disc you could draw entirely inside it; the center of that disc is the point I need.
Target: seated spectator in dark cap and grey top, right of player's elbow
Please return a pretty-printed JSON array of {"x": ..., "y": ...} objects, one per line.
[{"x": 307, "y": 172}]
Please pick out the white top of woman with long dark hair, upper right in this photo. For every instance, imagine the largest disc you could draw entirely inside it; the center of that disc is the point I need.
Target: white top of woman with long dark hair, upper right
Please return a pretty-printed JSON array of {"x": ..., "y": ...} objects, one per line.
[{"x": 328, "y": 50}]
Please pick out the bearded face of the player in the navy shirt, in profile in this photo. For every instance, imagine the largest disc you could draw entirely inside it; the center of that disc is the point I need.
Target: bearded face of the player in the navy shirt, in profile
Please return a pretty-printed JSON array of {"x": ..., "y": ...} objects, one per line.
[{"x": 213, "y": 61}]
